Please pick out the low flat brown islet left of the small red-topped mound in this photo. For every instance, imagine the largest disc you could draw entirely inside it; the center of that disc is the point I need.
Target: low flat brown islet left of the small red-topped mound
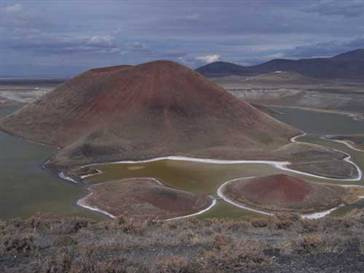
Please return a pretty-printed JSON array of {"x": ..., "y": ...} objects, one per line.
[{"x": 144, "y": 198}]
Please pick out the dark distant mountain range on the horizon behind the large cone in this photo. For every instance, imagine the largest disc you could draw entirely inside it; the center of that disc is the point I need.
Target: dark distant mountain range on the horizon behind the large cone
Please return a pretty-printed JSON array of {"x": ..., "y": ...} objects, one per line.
[{"x": 349, "y": 65}]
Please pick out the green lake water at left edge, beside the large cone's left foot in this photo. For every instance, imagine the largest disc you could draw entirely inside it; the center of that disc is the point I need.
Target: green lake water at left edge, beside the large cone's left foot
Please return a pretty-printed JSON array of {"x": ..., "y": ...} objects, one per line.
[{"x": 26, "y": 188}]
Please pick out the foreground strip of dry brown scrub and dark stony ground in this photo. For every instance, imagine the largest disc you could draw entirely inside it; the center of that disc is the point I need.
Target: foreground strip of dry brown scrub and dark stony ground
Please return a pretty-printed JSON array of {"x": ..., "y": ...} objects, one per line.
[{"x": 280, "y": 244}]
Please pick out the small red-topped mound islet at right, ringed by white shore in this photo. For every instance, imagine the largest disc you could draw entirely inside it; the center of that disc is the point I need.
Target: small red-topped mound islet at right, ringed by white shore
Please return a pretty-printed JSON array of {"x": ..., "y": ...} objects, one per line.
[{"x": 286, "y": 193}]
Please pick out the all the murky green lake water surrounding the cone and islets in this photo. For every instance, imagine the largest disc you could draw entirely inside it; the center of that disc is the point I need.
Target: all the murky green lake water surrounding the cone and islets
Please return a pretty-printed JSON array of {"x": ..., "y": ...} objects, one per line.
[{"x": 26, "y": 188}]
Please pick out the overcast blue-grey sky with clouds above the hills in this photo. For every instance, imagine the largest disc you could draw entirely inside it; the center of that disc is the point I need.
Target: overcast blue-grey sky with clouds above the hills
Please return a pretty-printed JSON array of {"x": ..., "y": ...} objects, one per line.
[{"x": 62, "y": 38}]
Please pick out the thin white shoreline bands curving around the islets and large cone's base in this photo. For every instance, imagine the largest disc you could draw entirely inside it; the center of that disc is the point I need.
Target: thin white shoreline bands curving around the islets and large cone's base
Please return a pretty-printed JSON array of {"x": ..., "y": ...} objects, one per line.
[{"x": 282, "y": 165}]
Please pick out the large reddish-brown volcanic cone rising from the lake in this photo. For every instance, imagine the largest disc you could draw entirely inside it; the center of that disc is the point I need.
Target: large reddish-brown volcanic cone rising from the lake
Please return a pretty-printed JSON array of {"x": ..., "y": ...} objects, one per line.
[{"x": 153, "y": 109}]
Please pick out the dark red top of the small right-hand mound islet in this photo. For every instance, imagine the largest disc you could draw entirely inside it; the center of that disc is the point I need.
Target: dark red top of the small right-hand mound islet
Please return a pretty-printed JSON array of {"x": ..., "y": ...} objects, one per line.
[{"x": 277, "y": 188}]
